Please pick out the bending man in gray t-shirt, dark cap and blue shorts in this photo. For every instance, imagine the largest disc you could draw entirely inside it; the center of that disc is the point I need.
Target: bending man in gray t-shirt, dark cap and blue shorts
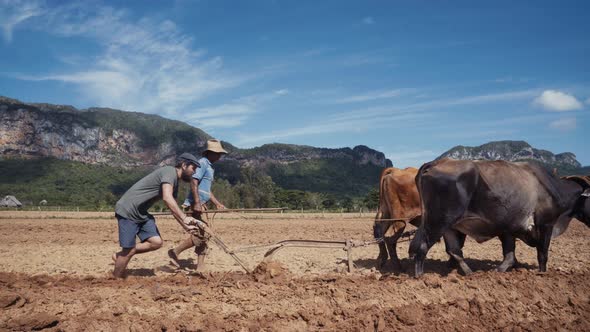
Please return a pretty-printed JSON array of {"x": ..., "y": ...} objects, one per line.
[{"x": 132, "y": 210}]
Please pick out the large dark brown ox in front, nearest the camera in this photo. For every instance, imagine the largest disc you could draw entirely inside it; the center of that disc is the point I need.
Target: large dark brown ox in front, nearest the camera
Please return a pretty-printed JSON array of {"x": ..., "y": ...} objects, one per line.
[{"x": 486, "y": 199}]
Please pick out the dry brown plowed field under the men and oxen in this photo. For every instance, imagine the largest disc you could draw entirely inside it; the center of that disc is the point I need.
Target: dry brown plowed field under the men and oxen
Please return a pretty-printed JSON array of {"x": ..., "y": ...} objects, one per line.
[{"x": 55, "y": 275}]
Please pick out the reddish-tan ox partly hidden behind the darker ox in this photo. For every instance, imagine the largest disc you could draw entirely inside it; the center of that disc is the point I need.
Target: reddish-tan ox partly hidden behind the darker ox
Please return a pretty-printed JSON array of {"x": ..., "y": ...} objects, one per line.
[{"x": 399, "y": 203}]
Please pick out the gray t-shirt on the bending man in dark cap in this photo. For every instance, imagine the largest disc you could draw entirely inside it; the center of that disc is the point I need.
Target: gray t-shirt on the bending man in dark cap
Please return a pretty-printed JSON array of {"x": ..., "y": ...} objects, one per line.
[{"x": 143, "y": 194}]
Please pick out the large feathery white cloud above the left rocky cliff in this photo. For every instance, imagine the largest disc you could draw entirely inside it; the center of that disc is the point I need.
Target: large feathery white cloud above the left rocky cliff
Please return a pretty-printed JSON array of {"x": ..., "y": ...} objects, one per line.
[{"x": 146, "y": 65}]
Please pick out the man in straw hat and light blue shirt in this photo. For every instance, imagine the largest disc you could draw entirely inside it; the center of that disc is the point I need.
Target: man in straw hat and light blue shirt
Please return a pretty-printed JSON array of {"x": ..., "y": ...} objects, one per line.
[{"x": 199, "y": 195}]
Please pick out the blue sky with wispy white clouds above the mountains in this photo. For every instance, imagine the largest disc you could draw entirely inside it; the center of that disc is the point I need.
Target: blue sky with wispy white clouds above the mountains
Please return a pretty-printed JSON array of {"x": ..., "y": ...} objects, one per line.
[{"x": 408, "y": 78}]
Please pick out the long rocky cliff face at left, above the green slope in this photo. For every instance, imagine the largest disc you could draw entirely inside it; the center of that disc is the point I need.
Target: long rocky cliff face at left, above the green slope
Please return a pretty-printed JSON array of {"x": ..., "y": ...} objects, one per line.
[{"x": 93, "y": 136}]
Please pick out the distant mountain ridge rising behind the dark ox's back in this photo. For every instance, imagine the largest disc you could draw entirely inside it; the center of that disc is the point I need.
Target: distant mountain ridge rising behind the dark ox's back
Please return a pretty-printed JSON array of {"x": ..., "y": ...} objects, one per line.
[{"x": 566, "y": 162}]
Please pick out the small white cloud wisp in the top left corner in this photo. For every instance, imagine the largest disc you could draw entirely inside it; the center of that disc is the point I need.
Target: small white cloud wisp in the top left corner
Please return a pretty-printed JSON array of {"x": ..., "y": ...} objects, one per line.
[{"x": 14, "y": 12}]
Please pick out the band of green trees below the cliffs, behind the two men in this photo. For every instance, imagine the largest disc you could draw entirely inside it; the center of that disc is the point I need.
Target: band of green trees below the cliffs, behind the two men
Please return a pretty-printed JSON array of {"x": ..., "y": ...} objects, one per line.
[{"x": 98, "y": 187}]
